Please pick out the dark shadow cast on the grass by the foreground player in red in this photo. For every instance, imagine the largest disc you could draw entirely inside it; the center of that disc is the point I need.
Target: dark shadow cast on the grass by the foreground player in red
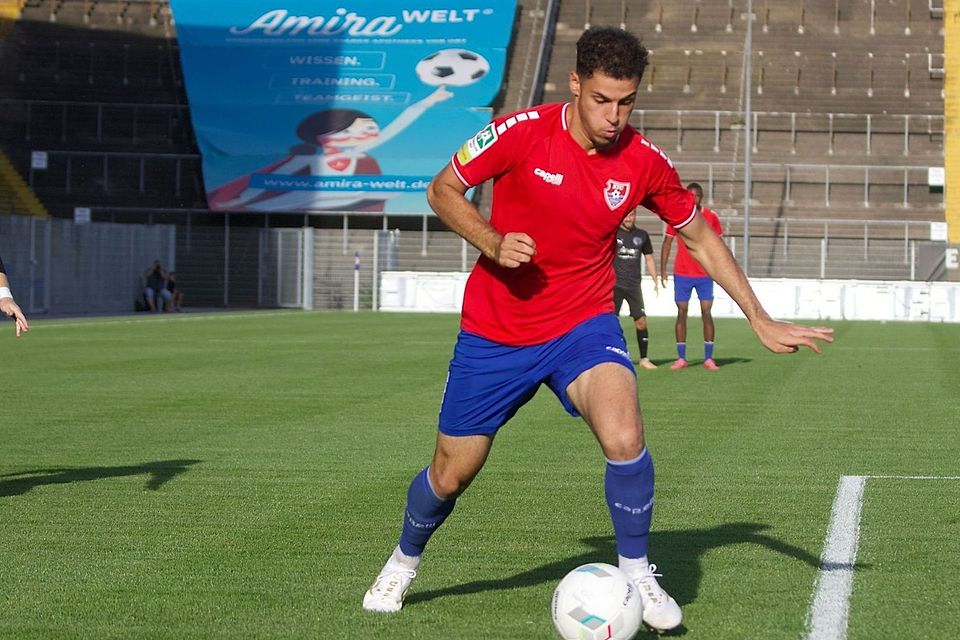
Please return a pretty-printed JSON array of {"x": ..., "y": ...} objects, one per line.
[{"x": 678, "y": 553}]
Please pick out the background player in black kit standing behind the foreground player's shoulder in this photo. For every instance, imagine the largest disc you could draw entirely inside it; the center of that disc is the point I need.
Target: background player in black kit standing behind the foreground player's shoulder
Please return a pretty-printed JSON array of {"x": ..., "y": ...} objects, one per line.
[{"x": 631, "y": 244}]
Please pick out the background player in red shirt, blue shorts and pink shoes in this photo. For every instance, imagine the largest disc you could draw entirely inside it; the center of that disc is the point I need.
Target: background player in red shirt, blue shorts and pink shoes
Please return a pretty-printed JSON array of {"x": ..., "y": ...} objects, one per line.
[{"x": 688, "y": 275}]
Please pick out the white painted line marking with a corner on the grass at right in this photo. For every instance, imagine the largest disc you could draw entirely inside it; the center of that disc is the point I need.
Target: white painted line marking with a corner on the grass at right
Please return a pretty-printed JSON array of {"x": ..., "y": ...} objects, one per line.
[{"x": 829, "y": 611}]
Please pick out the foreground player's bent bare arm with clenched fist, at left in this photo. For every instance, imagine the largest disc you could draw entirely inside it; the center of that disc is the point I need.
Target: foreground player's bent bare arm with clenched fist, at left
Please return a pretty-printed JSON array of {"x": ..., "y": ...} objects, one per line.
[{"x": 446, "y": 196}]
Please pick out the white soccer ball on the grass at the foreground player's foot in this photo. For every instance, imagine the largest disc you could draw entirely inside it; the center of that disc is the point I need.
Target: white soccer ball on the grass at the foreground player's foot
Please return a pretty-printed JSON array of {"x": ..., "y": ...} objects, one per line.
[{"x": 597, "y": 601}]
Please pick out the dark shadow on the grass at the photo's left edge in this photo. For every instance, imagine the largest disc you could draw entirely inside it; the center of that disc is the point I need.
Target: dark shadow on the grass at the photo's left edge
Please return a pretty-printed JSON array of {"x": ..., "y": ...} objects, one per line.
[{"x": 160, "y": 472}]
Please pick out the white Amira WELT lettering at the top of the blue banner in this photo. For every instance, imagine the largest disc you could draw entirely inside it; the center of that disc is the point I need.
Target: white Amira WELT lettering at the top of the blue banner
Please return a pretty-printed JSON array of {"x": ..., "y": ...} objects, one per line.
[{"x": 279, "y": 22}]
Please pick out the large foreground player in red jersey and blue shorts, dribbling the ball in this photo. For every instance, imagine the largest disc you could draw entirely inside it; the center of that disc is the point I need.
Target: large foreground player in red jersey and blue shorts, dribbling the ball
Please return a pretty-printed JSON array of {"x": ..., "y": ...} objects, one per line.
[{"x": 538, "y": 306}]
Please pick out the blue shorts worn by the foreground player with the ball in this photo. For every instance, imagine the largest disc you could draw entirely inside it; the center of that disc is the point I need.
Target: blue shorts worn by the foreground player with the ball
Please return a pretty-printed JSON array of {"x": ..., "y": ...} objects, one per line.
[{"x": 488, "y": 382}]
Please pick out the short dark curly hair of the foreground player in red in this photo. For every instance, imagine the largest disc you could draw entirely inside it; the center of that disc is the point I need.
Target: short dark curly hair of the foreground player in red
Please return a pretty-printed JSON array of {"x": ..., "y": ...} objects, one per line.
[{"x": 613, "y": 51}]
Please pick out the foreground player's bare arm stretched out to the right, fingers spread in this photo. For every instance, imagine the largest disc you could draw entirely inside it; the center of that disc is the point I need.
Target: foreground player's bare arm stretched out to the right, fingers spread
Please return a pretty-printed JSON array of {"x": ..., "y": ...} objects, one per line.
[{"x": 779, "y": 337}]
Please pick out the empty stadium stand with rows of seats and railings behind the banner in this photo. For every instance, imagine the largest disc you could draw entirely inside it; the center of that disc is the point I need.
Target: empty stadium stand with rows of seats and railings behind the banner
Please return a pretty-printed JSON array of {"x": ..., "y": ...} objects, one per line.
[{"x": 848, "y": 116}]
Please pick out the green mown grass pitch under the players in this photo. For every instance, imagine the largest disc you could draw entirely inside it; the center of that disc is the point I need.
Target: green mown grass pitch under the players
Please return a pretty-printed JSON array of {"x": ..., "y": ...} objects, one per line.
[{"x": 243, "y": 476}]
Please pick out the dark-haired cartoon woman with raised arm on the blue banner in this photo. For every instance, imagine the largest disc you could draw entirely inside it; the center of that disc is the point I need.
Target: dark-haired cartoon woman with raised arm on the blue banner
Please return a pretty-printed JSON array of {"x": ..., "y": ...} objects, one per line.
[{"x": 335, "y": 144}]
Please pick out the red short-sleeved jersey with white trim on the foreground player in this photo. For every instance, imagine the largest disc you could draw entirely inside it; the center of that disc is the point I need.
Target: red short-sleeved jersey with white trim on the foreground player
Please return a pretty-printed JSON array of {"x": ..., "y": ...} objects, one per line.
[{"x": 571, "y": 204}]
